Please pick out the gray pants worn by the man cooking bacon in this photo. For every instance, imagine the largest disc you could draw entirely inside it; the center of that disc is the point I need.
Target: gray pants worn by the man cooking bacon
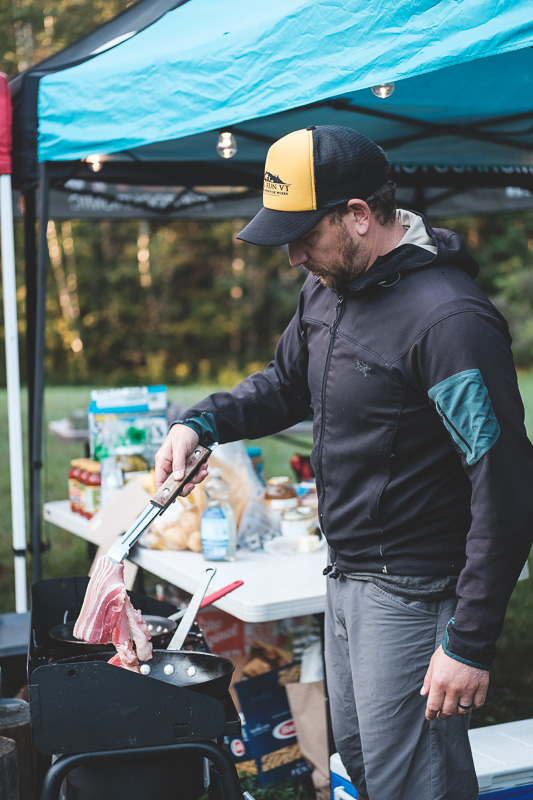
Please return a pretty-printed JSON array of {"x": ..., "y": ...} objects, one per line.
[{"x": 378, "y": 648}]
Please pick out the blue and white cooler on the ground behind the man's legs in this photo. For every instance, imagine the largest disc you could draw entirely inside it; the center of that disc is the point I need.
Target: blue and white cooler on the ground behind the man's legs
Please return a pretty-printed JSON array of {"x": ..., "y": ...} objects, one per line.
[{"x": 503, "y": 757}]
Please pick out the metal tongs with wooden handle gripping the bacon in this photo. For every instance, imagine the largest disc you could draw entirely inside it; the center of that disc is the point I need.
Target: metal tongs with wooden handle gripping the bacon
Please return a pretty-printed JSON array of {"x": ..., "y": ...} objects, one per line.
[{"x": 158, "y": 503}]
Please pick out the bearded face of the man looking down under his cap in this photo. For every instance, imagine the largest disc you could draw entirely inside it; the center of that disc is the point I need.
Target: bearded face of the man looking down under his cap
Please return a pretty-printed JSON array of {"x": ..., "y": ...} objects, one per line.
[{"x": 331, "y": 251}]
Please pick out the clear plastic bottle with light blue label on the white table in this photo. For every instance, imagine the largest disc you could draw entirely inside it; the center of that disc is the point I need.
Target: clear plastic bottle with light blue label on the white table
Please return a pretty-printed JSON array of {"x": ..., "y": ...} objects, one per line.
[{"x": 218, "y": 527}]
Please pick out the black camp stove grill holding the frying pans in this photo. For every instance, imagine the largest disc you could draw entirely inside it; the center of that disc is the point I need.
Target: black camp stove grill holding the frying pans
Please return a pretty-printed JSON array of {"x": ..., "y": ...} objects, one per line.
[{"x": 119, "y": 734}]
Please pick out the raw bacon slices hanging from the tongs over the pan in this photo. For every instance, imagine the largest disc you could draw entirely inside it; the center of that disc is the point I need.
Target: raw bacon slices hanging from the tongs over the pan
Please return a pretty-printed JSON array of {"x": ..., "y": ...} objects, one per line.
[{"x": 107, "y": 613}]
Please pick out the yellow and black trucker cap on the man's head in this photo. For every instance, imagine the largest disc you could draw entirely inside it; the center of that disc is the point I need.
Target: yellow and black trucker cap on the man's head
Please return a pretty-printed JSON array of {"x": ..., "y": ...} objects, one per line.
[{"x": 308, "y": 172}]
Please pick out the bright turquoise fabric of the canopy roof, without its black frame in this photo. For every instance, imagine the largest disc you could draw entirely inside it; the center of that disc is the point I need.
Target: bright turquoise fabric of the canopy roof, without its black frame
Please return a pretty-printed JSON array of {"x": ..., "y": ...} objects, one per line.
[{"x": 195, "y": 69}]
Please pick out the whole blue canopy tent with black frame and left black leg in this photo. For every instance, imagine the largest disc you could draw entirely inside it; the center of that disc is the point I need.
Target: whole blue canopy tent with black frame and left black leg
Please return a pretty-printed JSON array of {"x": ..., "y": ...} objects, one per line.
[{"x": 143, "y": 99}]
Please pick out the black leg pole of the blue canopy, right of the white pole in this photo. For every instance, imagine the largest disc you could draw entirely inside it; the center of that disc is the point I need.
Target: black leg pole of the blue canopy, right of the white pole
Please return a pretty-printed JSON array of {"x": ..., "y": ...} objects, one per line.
[{"x": 38, "y": 382}]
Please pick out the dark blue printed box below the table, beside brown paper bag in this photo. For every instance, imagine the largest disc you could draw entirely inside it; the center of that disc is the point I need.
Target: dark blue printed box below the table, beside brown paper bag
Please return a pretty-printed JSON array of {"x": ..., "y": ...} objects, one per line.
[{"x": 270, "y": 728}]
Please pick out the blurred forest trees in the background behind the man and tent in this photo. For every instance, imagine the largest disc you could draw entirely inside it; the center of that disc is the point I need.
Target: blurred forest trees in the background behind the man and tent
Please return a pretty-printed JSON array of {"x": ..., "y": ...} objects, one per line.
[{"x": 180, "y": 302}]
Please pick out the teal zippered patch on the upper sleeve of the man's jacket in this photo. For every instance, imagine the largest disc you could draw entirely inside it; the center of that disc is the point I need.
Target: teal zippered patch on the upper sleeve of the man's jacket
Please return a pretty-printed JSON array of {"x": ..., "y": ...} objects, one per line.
[{"x": 463, "y": 402}]
